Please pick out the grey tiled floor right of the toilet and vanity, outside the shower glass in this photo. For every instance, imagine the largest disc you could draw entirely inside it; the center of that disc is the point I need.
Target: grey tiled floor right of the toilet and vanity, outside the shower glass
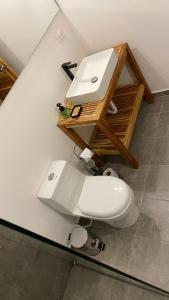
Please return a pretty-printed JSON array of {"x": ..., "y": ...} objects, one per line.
[{"x": 143, "y": 249}]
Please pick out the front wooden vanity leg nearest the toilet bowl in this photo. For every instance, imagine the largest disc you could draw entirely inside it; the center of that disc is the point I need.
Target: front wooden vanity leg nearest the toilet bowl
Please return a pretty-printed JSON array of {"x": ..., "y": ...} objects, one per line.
[{"x": 103, "y": 125}]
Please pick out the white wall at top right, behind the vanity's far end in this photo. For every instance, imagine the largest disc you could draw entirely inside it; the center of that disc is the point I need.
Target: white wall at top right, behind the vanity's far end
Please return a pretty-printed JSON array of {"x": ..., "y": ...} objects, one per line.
[{"x": 143, "y": 24}]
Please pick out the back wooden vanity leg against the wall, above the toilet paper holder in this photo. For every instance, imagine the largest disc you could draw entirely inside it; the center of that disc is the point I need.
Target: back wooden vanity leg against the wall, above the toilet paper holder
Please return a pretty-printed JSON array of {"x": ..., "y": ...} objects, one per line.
[{"x": 80, "y": 142}]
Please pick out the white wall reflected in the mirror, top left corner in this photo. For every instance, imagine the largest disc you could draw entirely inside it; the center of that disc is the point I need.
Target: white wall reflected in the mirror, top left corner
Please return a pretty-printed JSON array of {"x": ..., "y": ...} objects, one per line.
[{"x": 22, "y": 24}]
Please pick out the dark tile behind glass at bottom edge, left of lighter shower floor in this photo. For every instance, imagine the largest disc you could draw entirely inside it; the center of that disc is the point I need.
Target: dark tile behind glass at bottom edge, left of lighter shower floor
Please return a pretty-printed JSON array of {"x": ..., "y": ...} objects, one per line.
[{"x": 47, "y": 278}]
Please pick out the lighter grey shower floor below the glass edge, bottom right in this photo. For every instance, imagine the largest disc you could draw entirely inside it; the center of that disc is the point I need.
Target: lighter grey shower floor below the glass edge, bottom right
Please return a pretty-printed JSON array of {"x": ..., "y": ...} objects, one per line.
[{"x": 86, "y": 284}]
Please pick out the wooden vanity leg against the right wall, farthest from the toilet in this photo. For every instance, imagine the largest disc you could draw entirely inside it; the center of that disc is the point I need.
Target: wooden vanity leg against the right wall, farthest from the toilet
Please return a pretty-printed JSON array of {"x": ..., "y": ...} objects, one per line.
[{"x": 137, "y": 72}]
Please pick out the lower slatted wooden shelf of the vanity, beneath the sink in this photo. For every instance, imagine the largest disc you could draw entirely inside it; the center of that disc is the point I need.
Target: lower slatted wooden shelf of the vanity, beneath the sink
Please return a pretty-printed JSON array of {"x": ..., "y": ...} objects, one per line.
[{"x": 128, "y": 101}]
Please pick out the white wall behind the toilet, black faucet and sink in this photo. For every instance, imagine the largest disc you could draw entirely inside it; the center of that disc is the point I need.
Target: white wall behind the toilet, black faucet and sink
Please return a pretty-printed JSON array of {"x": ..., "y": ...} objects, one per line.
[{"x": 29, "y": 137}]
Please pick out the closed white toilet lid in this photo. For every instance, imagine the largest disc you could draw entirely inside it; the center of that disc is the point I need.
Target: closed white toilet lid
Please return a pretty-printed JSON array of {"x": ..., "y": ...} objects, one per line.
[{"x": 103, "y": 196}]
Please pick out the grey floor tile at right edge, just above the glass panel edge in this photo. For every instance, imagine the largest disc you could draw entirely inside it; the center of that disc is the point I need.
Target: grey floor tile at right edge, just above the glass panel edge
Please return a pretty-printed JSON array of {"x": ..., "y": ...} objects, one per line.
[{"x": 149, "y": 261}]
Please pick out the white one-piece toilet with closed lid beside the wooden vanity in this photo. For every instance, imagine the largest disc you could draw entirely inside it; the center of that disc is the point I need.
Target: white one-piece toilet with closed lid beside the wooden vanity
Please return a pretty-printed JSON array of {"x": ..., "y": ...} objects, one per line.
[{"x": 103, "y": 198}]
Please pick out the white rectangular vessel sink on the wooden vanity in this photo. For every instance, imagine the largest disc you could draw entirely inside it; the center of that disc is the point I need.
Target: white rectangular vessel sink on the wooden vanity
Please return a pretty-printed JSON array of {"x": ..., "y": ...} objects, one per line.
[{"x": 98, "y": 67}]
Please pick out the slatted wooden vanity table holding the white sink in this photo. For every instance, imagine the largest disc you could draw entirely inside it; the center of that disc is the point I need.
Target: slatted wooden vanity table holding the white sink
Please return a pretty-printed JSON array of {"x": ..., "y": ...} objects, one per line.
[{"x": 112, "y": 133}]
